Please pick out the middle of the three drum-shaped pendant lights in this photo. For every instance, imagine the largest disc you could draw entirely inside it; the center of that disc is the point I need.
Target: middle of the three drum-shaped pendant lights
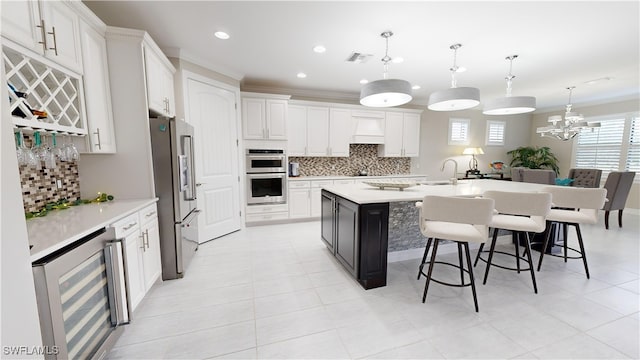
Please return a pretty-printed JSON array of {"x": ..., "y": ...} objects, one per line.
[{"x": 455, "y": 98}]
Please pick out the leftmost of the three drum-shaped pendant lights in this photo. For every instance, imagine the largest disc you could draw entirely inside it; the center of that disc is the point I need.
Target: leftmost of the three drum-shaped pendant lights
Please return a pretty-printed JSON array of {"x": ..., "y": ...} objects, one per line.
[{"x": 385, "y": 92}]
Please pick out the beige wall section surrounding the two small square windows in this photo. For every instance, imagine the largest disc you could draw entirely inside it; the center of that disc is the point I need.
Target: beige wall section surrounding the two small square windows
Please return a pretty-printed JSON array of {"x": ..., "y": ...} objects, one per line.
[{"x": 434, "y": 148}]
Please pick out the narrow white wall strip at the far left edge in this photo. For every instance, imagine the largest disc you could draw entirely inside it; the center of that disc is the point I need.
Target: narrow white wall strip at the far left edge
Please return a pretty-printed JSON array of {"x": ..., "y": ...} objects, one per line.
[{"x": 19, "y": 314}]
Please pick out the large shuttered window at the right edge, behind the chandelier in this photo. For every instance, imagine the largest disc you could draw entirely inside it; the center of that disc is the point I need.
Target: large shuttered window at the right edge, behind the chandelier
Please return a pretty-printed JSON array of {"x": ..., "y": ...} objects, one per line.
[{"x": 615, "y": 146}]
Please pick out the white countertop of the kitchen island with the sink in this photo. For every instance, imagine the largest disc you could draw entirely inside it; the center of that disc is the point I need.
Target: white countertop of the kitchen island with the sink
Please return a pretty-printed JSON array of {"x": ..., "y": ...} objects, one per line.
[{"x": 365, "y": 194}]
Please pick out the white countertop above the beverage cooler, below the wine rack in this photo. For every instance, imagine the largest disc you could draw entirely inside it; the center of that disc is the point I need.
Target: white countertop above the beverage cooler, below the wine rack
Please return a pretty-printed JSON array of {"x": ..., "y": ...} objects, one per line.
[{"x": 60, "y": 228}]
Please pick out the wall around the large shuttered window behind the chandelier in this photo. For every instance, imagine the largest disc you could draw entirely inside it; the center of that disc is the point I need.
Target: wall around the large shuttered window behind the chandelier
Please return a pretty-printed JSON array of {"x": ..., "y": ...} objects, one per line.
[{"x": 564, "y": 149}]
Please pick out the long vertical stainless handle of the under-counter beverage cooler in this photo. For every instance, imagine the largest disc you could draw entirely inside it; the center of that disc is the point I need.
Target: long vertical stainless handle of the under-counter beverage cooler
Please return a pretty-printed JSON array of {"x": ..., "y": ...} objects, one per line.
[{"x": 119, "y": 294}]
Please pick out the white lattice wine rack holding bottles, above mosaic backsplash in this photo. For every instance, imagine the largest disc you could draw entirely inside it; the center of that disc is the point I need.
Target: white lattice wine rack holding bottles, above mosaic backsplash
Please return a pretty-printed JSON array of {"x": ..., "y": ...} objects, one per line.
[{"x": 43, "y": 97}]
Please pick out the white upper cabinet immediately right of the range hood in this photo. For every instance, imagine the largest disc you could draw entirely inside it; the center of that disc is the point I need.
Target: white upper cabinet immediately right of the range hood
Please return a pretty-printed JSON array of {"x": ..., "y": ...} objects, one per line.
[{"x": 401, "y": 135}]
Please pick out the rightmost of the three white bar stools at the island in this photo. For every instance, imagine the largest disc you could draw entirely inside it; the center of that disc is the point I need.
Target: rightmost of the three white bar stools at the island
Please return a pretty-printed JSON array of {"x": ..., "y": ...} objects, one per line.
[{"x": 572, "y": 206}]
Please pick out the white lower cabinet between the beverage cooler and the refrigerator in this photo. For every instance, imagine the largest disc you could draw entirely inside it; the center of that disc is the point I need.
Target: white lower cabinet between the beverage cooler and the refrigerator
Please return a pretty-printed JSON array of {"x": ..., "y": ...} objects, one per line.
[{"x": 141, "y": 236}]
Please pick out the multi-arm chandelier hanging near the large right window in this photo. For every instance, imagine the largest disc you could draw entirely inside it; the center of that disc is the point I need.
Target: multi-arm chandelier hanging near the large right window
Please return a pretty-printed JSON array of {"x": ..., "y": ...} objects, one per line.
[{"x": 568, "y": 128}]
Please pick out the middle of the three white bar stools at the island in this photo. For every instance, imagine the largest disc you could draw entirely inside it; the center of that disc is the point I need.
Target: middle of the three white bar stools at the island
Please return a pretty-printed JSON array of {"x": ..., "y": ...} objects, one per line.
[{"x": 521, "y": 213}]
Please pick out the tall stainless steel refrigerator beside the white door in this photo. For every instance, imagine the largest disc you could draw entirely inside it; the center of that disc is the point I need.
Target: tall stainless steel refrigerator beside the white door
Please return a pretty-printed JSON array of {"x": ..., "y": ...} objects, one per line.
[{"x": 174, "y": 174}]
